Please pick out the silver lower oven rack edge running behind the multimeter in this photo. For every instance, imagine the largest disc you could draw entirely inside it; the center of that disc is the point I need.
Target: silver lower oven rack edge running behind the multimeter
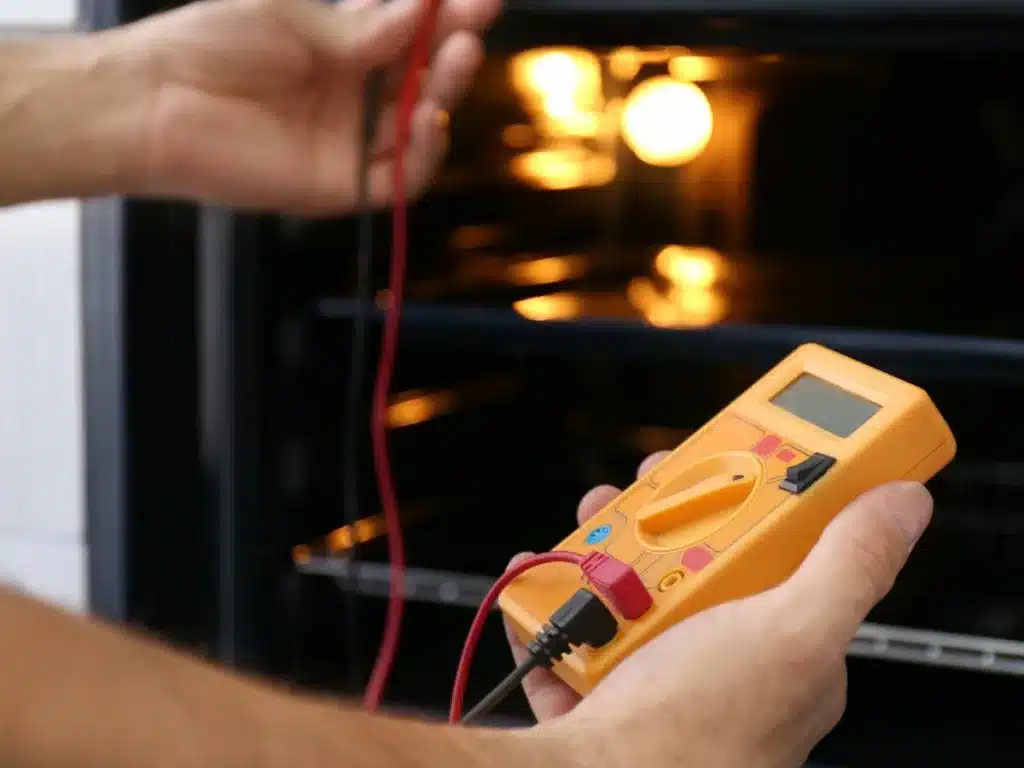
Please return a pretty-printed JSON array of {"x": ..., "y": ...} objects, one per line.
[{"x": 885, "y": 643}]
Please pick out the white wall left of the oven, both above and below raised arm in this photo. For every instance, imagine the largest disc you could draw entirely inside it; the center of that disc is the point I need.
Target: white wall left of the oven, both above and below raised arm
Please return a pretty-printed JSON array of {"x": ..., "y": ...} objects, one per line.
[{"x": 42, "y": 504}]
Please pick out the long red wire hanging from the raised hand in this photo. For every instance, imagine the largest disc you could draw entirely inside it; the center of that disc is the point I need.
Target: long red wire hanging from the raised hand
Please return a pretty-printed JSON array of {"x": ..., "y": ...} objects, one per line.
[{"x": 407, "y": 103}]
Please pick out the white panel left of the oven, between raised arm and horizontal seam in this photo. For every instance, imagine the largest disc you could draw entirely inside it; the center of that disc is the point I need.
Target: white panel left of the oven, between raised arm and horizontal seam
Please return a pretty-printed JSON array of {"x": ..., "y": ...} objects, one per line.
[{"x": 41, "y": 451}]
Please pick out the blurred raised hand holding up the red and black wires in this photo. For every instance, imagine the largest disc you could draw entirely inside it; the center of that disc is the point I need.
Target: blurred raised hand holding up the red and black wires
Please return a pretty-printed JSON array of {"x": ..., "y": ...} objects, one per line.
[{"x": 259, "y": 104}]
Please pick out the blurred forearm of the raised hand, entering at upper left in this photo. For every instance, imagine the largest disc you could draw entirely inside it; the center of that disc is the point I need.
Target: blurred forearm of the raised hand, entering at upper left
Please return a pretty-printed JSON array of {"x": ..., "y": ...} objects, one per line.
[{"x": 71, "y": 116}]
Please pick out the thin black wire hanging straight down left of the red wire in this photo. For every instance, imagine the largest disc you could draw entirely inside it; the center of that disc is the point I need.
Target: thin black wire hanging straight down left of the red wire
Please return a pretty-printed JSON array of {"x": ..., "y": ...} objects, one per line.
[{"x": 358, "y": 360}]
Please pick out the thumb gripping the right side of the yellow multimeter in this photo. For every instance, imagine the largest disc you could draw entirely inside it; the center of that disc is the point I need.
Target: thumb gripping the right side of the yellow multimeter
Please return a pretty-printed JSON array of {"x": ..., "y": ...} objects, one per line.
[{"x": 859, "y": 558}]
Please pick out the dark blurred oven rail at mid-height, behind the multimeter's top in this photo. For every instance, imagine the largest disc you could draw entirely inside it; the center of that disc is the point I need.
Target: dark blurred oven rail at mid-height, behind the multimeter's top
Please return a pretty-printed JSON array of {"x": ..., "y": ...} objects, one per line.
[{"x": 912, "y": 355}]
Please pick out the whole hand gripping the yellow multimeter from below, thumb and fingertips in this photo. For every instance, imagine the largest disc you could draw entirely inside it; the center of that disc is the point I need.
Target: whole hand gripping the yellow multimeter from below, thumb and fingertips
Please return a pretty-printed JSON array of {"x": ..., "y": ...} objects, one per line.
[{"x": 757, "y": 682}]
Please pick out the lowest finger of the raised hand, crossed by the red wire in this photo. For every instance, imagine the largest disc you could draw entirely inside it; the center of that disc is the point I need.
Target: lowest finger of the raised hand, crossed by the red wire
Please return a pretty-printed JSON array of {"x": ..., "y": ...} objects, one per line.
[{"x": 424, "y": 155}]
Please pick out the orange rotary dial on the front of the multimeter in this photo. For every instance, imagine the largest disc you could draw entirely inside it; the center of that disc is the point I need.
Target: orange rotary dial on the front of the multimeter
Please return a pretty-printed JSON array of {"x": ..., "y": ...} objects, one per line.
[{"x": 699, "y": 501}]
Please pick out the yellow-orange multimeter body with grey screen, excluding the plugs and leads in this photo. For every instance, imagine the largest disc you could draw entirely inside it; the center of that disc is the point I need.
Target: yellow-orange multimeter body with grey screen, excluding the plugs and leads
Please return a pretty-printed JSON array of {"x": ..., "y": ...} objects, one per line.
[{"x": 737, "y": 508}]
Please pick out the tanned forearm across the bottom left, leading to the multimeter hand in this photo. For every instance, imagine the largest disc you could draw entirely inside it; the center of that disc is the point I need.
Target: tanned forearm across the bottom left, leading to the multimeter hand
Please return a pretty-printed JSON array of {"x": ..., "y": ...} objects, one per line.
[{"x": 76, "y": 693}]
